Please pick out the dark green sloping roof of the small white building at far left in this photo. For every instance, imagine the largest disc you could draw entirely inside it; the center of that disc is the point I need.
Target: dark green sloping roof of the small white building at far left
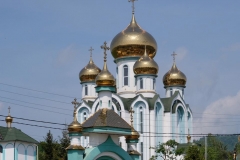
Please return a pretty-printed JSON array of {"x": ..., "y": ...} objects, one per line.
[{"x": 14, "y": 134}]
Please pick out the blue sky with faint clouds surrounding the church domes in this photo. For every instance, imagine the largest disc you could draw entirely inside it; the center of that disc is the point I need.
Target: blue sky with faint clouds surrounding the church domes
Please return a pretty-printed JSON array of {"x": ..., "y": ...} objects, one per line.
[{"x": 44, "y": 45}]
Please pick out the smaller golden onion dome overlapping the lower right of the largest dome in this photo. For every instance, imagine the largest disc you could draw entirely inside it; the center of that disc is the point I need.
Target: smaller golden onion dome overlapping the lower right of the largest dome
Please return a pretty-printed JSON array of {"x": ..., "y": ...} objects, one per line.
[{"x": 145, "y": 65}]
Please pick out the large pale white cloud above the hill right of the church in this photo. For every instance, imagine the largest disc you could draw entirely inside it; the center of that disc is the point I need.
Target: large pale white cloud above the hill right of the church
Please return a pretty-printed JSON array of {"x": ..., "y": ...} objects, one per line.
[{"x": 221, "y": 116}]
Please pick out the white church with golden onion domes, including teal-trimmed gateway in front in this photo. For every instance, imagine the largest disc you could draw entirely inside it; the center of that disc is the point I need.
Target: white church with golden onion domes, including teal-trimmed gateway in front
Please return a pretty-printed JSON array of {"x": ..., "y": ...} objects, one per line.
[{"x": 122, "y": 117}]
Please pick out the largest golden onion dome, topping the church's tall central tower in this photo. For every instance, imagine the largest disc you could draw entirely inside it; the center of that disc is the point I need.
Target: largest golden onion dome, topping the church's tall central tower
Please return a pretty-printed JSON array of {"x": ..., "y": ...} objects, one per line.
[{"x": 131, "y": 41}]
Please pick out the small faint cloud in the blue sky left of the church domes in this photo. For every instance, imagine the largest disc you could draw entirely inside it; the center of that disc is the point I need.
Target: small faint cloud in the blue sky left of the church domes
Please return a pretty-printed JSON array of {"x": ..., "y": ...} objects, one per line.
[{"x": 66, "y": 55}]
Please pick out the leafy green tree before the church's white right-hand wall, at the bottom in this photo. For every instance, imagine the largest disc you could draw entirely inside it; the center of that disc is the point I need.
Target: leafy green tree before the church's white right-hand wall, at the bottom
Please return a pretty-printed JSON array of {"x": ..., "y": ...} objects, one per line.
[{"x": 167, "y": 150}]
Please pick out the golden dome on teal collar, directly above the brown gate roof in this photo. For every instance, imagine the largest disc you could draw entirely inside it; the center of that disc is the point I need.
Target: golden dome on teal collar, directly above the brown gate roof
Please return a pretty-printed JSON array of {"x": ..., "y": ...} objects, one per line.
[{"x": 105, "y": 78}]
